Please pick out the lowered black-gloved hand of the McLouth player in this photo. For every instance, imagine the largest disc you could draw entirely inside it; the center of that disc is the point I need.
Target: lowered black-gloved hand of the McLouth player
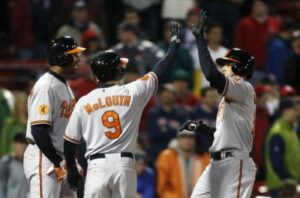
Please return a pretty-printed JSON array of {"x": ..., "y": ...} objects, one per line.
[{"x": 74, "y": 178}]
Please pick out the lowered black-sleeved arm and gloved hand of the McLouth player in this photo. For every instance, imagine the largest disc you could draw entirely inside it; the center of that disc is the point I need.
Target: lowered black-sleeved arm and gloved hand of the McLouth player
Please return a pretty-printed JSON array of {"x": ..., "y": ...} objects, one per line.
[{"x": 74, "y": 178}]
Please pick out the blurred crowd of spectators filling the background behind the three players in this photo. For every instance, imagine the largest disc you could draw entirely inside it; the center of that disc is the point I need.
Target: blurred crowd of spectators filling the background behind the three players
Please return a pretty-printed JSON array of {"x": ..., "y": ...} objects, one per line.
[{"x": 168, "y": 163}]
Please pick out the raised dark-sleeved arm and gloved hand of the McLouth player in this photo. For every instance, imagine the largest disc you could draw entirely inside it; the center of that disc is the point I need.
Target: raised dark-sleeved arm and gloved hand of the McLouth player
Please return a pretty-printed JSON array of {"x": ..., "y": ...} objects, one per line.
[{"x": 167, "y": 60}]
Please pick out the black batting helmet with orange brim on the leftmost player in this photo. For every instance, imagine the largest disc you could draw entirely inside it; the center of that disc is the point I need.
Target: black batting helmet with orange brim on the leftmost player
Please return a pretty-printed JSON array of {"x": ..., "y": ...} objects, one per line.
[{"x": 59, "y": 51}]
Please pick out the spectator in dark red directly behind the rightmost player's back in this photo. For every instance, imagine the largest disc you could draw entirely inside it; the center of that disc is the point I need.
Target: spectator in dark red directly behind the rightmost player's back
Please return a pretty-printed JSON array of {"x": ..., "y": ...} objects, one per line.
[{"x": 261, "y": 128}]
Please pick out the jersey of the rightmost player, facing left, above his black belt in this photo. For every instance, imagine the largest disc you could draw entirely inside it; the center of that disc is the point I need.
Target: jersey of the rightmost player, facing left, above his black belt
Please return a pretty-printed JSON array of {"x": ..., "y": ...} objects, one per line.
[{"x": 236, "y": 117}]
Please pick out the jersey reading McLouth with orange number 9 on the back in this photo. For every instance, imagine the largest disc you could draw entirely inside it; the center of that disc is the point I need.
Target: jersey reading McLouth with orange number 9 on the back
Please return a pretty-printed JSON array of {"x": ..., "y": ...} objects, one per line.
[{"x": 108, "y": 118}]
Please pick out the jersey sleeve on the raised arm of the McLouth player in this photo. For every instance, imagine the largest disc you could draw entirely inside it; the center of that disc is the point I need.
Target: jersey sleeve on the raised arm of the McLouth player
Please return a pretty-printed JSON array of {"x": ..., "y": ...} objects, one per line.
[{"x": 145, "y": 87}]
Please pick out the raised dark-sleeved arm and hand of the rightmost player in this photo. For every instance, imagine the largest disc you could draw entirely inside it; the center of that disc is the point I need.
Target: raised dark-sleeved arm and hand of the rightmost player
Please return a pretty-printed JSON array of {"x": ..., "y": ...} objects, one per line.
[{"x": 211, "y": 73}]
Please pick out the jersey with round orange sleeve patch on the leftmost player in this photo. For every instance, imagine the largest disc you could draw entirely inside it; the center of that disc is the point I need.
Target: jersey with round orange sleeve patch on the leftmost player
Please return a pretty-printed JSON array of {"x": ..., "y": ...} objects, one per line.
[{"x": 51, "y": 102}]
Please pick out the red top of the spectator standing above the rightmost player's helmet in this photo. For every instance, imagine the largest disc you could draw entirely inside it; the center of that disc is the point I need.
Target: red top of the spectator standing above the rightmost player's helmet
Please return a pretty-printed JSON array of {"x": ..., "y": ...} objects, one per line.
[{"x": 252, "y": 36}]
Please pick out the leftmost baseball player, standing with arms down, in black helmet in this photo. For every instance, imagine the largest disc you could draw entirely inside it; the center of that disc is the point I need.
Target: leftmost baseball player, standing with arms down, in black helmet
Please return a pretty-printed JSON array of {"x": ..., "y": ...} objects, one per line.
[{"x": 50, "y": 105}]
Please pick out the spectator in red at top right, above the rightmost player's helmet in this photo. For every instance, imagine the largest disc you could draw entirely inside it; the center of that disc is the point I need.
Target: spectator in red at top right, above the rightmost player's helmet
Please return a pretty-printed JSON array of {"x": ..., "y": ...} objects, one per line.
[{"x": 253, "y": 32}]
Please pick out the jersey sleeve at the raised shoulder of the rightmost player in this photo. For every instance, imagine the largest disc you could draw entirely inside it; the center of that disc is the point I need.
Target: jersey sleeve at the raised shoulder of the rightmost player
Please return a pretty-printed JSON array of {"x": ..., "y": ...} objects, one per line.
[{"x": 236, "y": 89}]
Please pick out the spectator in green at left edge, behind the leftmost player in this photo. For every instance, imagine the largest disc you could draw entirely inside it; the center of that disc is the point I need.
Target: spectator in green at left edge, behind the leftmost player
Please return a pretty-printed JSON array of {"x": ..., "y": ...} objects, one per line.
[{"x": 14, "y": 123}]
